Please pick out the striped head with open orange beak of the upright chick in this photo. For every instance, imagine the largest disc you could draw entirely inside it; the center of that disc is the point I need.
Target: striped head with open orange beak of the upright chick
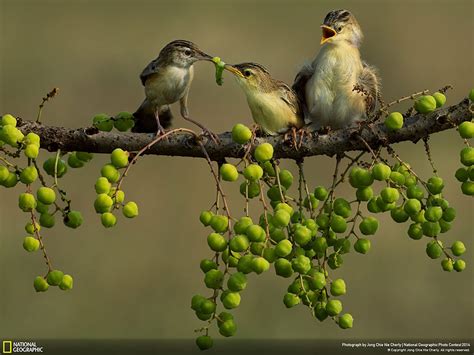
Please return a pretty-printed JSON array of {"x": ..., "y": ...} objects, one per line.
[{"x": 341, "y": 25}]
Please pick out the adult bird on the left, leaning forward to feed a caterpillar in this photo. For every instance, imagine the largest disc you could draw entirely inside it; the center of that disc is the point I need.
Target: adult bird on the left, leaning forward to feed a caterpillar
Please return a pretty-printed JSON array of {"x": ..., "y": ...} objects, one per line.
[{"x": 167, "y": 79}]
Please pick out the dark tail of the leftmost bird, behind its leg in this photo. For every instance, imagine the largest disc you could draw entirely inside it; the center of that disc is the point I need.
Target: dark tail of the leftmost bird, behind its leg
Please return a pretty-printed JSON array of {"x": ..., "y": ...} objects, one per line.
[{"x": 145, "y": 120}]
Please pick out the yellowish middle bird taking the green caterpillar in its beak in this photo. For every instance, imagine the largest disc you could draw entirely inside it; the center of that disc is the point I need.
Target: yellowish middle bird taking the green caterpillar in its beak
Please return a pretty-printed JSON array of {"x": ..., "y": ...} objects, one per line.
[{"x": 273, "y": 104}]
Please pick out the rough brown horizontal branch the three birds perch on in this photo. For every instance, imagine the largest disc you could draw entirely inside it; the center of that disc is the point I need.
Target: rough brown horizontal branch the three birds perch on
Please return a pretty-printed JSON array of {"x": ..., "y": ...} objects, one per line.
[{"x": 375, "y": 135}]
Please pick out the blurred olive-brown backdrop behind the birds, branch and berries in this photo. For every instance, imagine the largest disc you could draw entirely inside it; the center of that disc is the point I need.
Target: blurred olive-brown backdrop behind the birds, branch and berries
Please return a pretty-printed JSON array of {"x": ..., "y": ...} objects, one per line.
[{"x": 136, "y": 281}]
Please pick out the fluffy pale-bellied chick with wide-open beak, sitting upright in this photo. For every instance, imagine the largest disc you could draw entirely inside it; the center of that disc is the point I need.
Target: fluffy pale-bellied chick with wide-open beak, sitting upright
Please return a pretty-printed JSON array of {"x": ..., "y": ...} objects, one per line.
[{"x": 337, "y": 88}]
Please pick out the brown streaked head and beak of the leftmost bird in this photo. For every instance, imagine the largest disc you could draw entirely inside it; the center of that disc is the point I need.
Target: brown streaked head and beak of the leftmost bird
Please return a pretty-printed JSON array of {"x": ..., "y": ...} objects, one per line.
[{"x": 182, "y": 53}]
